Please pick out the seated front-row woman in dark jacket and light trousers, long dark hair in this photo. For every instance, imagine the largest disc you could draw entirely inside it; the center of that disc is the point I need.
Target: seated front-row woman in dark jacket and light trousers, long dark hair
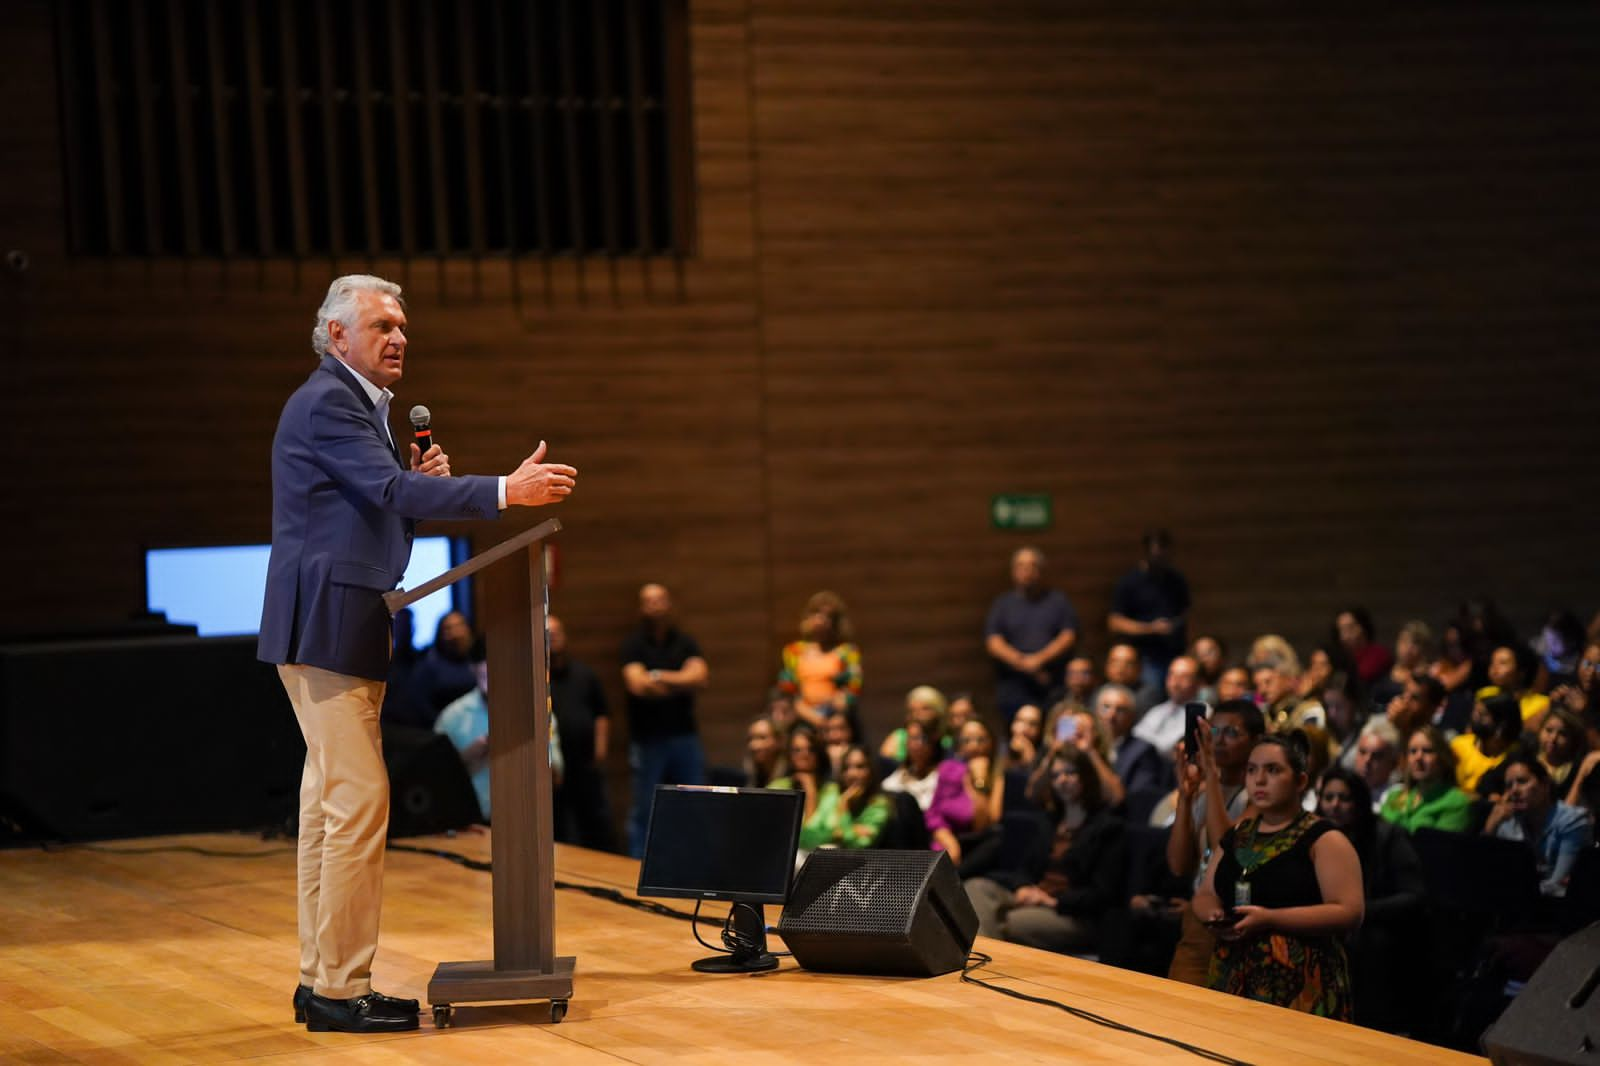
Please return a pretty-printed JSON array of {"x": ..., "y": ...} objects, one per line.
[{"x": 1058, "y": 899}]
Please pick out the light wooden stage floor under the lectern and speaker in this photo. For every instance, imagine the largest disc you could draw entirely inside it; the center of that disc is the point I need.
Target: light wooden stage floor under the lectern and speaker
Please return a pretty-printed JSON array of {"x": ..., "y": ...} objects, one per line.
[{"x": 145, "y": 952}]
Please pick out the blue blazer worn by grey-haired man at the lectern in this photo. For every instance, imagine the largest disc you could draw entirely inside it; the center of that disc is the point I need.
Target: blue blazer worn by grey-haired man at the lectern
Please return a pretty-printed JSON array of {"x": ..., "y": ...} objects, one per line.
[{"x": 343, "y": 516}]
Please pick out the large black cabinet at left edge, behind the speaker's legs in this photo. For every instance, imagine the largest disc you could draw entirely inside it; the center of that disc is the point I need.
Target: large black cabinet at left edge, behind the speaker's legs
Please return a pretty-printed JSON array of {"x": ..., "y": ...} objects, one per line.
[{"x": 134, "y": 737}]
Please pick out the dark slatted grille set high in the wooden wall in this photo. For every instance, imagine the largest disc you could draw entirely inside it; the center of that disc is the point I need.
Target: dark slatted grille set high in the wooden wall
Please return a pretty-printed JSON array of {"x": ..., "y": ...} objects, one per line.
[{"x": 300, "y": 127}]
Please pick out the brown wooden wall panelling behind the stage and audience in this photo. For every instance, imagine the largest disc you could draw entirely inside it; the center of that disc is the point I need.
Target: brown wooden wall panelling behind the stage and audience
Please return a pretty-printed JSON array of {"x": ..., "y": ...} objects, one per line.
[{"x": 1316, "y": 291}]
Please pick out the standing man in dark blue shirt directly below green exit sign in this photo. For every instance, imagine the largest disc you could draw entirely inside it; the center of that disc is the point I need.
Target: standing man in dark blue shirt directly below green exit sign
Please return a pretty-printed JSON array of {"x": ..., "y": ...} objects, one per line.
[{"x": 1031, "y": 630}]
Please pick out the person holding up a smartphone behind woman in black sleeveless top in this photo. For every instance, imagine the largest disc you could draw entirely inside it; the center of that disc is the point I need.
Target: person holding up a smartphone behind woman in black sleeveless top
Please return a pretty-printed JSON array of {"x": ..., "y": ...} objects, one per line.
[{"x": 1212, "y": 796}]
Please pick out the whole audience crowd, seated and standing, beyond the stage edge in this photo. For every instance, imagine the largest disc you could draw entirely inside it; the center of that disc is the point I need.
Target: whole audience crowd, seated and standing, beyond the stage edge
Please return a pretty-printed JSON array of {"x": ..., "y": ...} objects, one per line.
[{"x": 1332, "y": 828}]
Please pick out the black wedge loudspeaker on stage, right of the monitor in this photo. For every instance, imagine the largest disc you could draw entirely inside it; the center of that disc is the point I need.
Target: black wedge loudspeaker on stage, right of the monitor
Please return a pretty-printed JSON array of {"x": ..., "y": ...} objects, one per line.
[{"x": 890, "y": 913}]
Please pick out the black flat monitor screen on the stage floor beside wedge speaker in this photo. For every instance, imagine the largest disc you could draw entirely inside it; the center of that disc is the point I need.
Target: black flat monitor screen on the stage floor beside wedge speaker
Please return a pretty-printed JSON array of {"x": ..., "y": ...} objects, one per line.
[{"x": 708, "y": 843}]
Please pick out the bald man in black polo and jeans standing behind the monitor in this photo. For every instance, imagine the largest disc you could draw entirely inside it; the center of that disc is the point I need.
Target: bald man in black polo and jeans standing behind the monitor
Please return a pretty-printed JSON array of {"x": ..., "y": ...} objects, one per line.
[{"x": 663, "y": 668}]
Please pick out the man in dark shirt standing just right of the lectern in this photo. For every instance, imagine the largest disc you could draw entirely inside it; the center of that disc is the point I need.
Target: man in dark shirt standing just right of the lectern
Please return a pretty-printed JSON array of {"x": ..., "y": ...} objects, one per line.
[{"x": 583, "y": 814}]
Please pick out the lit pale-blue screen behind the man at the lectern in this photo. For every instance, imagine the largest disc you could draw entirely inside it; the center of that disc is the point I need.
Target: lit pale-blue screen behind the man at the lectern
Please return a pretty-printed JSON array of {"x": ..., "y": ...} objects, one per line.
[{"x": 218, "y": 590}]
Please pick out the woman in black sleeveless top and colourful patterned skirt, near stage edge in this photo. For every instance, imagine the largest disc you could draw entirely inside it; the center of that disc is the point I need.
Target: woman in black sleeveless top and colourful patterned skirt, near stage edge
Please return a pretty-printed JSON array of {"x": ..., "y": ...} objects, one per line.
[{"x": 1282, "y": 891}]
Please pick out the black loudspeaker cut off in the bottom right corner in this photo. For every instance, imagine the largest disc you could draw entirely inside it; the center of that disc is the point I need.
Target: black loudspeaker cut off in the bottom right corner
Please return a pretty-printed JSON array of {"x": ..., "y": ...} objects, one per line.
[{"x": 1556, "y": 1017}]
